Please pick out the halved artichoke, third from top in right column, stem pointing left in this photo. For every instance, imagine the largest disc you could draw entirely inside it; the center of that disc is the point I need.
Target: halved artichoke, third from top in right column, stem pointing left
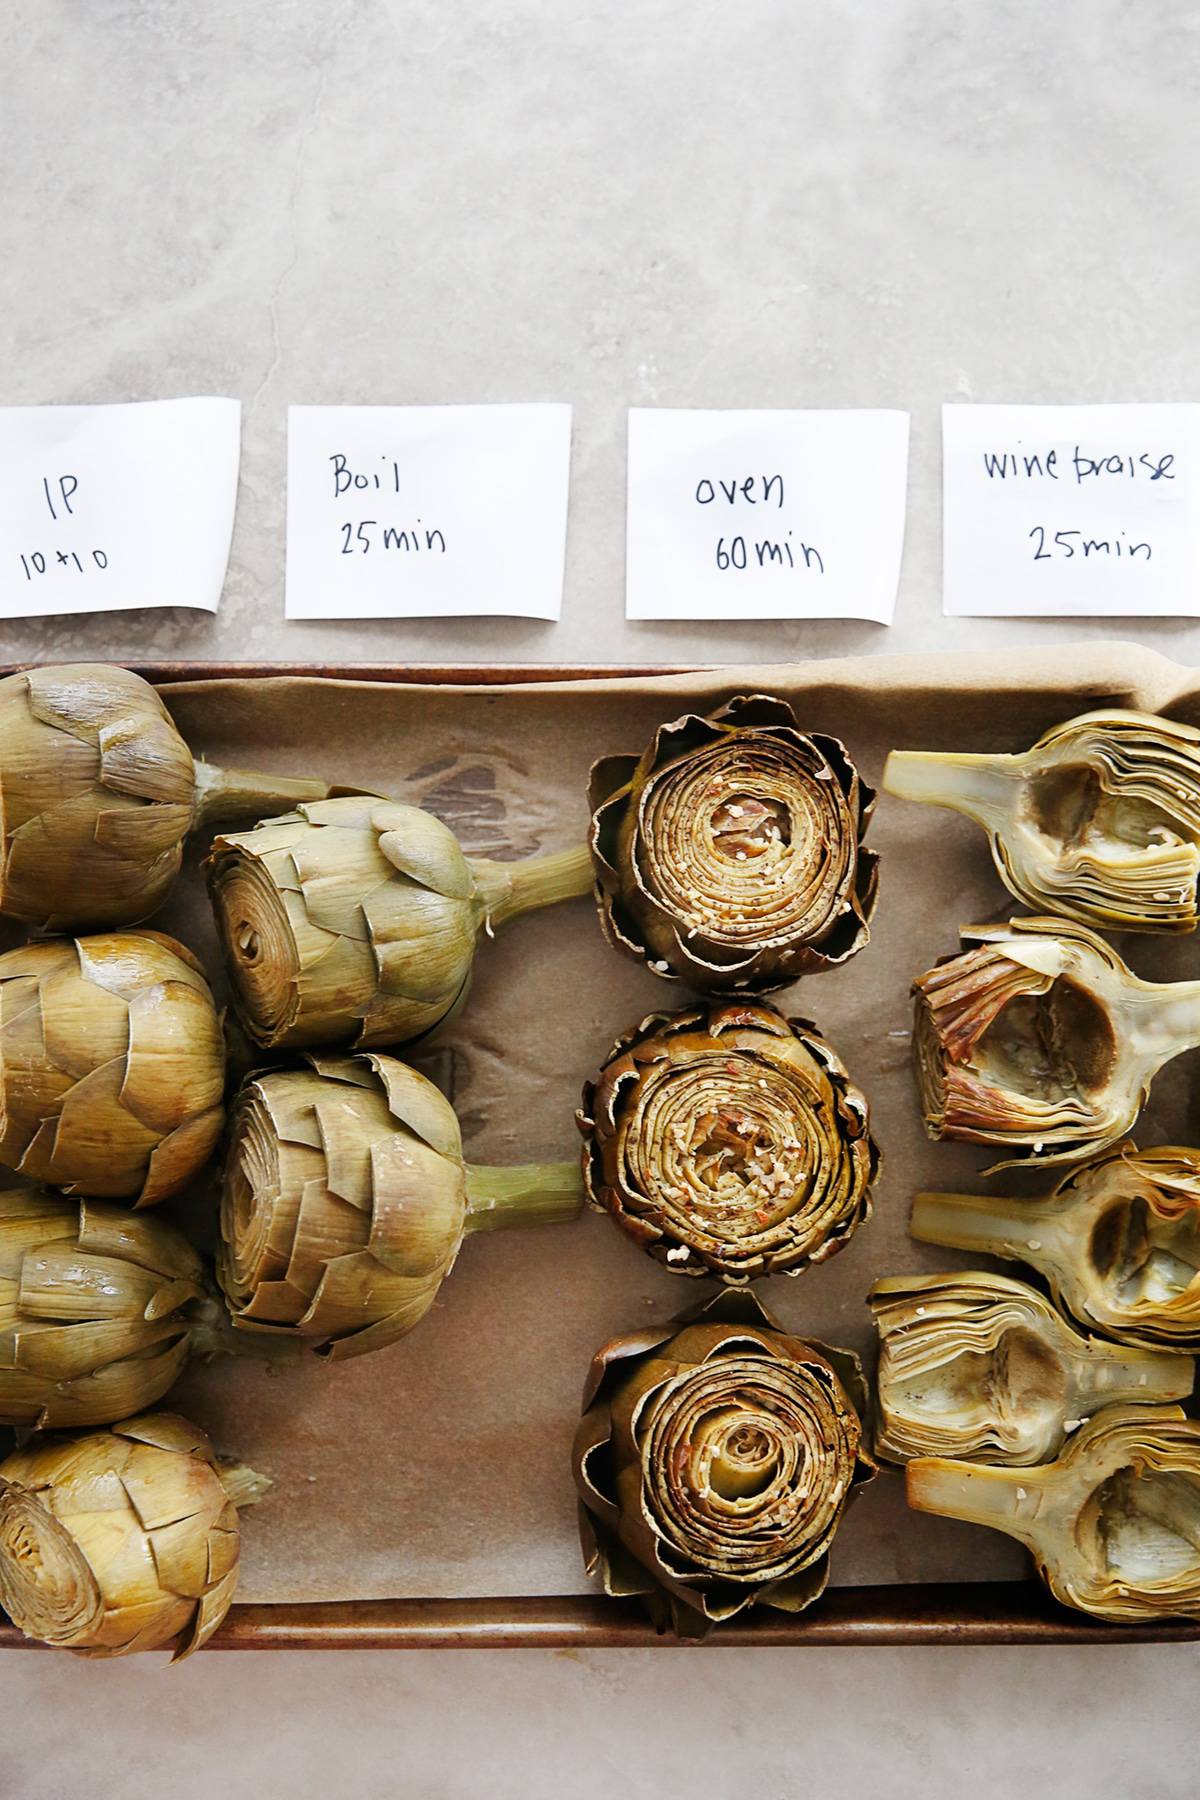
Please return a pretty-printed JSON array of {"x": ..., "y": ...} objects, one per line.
[{"x": 1118, "y": 1241}]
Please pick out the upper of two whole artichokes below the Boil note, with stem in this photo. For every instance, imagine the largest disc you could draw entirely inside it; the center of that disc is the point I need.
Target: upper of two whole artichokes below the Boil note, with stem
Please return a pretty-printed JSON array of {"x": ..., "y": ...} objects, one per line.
[{"x": 355, "y": 921}]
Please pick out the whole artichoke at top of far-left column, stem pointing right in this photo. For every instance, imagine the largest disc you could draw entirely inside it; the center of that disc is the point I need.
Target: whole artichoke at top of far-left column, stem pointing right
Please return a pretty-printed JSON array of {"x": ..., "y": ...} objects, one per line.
[{"x": 98, "y": 793}]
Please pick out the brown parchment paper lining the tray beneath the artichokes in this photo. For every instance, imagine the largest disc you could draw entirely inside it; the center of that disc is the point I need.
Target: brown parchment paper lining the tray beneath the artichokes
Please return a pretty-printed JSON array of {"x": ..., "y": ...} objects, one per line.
[{"x": 440, "y": 1468}]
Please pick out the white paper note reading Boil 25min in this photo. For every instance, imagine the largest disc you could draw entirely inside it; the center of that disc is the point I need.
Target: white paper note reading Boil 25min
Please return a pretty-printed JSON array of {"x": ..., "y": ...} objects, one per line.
[{"x": 424, "y": 512}]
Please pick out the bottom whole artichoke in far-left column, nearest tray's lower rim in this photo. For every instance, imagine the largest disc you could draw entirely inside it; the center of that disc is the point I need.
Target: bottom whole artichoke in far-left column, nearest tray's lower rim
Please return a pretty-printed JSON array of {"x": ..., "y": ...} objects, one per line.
[{"x": 123, "y": 1540}]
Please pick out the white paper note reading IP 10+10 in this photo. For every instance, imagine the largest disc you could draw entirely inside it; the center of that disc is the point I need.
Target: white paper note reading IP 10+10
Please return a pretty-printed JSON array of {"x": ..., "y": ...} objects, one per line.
[{"x": 109, "y": 508}]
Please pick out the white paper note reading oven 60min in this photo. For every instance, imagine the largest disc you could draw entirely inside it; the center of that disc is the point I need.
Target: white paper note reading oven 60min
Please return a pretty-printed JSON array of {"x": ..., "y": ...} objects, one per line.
[{"x": 766, "y": 516}]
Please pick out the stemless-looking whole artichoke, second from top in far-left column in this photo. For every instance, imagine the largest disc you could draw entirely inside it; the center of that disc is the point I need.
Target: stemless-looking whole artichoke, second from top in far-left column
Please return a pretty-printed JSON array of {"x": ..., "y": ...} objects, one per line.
[{"x": 112, "y": 1065}]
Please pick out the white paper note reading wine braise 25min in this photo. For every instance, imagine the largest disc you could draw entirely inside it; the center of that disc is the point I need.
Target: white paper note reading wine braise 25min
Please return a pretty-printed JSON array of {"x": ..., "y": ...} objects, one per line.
[{"x": 1071, "y": 510}]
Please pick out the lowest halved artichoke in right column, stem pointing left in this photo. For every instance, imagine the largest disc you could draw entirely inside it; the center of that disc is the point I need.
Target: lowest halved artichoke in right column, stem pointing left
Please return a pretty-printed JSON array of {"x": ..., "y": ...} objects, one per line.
[{"x": 1115, "y": 1525}]
